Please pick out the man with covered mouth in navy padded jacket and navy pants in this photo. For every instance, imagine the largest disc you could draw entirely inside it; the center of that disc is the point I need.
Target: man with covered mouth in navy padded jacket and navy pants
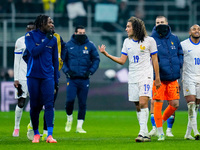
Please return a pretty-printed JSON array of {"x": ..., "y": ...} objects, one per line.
[{"x": 80, "y": 60}]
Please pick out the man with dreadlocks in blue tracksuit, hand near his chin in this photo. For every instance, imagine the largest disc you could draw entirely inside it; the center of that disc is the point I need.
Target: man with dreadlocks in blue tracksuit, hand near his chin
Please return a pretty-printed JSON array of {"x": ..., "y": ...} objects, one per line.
[{"x": 42, "y": 73}]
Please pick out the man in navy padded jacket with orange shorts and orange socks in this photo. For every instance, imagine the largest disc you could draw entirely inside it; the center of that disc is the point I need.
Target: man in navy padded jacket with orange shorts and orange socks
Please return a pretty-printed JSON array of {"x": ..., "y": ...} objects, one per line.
[{"x": 170, "y": 59}]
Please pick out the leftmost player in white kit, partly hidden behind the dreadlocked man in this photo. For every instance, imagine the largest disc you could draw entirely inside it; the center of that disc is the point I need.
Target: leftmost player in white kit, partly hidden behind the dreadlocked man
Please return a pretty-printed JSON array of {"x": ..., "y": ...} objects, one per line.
[{"x": 20, "y": 69}]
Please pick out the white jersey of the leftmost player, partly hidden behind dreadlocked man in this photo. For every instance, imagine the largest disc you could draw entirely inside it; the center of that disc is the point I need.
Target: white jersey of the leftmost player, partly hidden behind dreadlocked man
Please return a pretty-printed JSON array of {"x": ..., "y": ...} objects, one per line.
[{"x": 20, "y": 66}]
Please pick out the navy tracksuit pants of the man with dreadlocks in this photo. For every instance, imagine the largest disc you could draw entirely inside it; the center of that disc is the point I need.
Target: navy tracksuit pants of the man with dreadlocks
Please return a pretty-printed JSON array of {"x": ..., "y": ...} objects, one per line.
[{"x": 41, "y": 92}]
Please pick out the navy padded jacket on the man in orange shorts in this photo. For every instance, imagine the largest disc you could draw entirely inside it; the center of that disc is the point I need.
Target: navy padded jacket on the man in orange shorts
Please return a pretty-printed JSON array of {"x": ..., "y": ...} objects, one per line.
[{"x": 170, "y": 55}]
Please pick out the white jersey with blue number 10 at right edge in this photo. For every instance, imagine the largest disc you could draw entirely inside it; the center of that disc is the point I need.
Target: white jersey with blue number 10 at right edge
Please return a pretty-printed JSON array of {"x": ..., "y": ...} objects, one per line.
[{"x": 191, "y": 64}]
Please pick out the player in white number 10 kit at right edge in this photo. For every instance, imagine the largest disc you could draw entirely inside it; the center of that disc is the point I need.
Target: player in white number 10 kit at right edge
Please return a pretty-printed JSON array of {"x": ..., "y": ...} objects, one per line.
[{"x": 191, "y": 79}]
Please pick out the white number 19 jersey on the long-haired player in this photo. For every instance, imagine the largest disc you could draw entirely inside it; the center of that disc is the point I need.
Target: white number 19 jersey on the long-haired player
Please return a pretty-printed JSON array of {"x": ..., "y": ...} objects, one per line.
[{"x": 140, "y": 64}]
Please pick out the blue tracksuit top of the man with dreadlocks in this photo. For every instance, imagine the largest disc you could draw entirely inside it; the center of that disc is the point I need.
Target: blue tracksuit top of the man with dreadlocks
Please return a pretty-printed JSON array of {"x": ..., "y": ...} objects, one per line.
[{"x": 43, "y": 61}]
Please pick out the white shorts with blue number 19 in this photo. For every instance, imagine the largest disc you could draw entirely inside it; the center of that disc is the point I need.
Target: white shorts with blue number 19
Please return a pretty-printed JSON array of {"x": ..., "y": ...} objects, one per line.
[{"x": 144, "y": 88}]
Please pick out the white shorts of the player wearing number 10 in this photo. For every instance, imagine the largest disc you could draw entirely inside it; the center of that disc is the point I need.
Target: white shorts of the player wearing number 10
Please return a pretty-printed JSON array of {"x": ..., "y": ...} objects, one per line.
[{"x": 191, "y": 88}]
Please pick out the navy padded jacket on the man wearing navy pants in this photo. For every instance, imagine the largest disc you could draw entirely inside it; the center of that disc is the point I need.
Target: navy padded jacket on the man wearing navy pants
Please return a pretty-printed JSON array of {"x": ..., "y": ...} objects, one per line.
[{"x": 80, "y": 58}]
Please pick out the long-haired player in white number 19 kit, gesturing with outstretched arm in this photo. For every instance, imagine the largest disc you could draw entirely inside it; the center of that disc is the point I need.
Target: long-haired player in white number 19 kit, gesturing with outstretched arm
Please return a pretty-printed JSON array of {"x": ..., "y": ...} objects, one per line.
[{"x": 142, "y": 52}]
